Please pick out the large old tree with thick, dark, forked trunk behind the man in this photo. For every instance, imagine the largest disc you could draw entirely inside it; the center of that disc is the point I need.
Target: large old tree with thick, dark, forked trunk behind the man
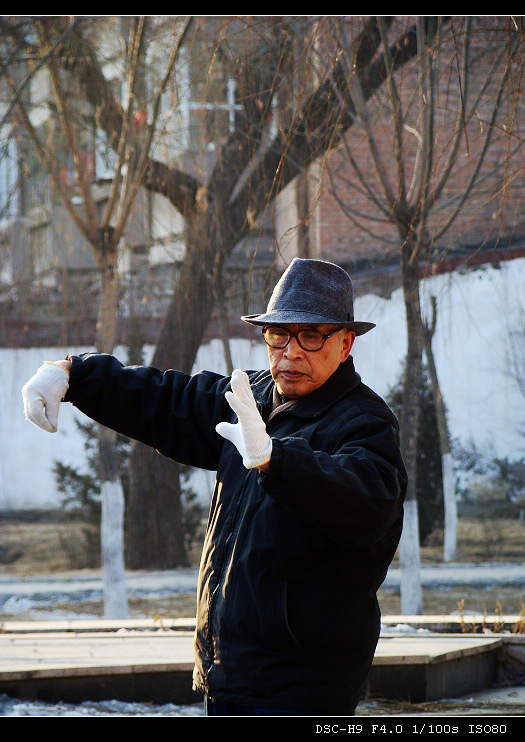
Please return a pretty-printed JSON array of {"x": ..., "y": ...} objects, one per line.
[{"x": 280, "y": 130}]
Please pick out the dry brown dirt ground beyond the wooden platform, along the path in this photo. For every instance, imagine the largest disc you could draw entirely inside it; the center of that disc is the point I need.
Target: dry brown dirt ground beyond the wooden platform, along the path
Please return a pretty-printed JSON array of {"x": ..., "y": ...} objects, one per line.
[{"x": 50, "y": 546}]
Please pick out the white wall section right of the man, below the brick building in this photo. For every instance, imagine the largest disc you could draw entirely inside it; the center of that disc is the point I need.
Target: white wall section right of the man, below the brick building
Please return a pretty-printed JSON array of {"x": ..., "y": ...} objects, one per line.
[{"x": 477, "y": 313}]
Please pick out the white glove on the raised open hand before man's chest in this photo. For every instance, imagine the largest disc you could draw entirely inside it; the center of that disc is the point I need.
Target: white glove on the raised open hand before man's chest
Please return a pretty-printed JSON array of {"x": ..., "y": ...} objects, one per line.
[{"x": 249, "y": 434}]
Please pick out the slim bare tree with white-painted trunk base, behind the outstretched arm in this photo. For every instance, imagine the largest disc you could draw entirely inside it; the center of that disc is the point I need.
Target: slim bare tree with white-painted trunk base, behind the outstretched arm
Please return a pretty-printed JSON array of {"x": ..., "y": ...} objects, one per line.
[{"x": 103, "y": 228}]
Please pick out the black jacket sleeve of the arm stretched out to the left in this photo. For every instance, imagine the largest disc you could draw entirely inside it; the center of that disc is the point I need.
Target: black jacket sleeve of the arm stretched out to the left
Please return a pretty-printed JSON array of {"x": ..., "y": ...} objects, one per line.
[{"x": 173, "y": 412}]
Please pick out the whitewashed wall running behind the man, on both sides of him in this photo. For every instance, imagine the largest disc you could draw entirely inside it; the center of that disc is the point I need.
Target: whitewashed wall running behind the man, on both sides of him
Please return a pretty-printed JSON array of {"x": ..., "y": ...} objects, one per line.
[{"x": 478, "y": 312}]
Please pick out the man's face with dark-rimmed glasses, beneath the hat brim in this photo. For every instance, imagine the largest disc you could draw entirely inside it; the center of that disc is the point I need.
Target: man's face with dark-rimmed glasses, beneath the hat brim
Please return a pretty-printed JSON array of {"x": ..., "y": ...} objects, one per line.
[{"x": 299, "y": 372}]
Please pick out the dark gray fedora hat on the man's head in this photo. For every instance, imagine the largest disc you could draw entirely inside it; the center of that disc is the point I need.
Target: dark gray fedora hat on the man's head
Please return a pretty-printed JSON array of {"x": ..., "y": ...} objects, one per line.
[{"x": 312, "y": 292}]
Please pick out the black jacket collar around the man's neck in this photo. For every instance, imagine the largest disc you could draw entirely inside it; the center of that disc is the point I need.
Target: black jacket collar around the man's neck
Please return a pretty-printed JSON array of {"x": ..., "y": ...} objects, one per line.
[{"x": 342, "y": 381}]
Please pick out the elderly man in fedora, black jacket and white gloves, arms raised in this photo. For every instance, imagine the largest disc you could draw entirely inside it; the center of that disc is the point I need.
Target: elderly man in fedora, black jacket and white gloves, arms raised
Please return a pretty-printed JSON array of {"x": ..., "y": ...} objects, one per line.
[{"x": 307, "y": 509}]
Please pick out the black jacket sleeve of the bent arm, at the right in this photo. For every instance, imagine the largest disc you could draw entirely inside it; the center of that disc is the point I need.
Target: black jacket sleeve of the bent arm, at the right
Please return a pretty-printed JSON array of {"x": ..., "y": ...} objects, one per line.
[{"x": 354, "y": 493}]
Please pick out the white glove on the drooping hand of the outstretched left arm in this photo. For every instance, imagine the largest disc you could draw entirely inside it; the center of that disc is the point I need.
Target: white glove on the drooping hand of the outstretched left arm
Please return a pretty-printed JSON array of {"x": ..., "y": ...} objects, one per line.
[{"x": 42, "y": 395}]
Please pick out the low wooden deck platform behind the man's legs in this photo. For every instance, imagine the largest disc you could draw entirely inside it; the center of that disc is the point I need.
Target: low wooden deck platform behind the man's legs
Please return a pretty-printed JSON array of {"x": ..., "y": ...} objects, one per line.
[{"x": 153, "y": 661}]
